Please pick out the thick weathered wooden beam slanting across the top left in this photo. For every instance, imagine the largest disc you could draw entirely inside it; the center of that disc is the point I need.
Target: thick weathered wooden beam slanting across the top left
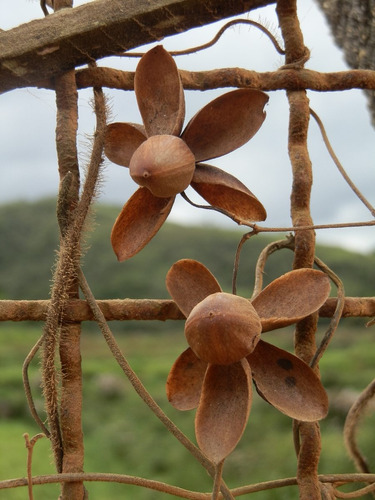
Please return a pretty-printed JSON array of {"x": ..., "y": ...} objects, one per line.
[{"x": 69, "y": 38}]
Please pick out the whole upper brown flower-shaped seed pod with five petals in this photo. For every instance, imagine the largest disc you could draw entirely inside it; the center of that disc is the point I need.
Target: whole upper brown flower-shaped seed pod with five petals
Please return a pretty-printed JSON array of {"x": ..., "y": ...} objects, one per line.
[{"x": 164, "y": 159}]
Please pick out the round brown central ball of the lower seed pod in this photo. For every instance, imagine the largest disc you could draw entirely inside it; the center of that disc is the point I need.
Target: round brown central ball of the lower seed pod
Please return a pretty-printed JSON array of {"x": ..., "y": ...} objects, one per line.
[{"x": 223, "y": 328}]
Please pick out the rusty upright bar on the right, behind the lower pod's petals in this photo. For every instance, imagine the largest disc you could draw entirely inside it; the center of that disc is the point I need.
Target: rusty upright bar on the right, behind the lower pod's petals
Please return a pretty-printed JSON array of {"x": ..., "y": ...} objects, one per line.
[{"x": 305, "y": 345}]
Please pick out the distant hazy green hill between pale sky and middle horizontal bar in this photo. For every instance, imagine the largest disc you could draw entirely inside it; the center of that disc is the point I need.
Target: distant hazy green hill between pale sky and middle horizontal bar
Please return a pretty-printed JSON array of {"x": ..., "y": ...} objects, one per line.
[{"x": 29, "y": 240}]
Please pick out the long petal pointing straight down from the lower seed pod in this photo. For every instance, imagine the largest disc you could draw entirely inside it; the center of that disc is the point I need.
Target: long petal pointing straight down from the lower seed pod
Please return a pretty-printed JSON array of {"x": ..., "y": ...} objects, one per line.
[{"x": 224, "y": 409}]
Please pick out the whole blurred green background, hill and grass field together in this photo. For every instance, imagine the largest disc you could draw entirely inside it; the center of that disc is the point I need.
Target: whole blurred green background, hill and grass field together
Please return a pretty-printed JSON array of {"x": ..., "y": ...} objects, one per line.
[{"x": 121, "y": 434}]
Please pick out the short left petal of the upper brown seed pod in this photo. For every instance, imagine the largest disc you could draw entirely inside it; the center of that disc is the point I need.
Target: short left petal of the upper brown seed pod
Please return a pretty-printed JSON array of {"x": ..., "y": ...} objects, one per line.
[{"x": 121, "y": 141}]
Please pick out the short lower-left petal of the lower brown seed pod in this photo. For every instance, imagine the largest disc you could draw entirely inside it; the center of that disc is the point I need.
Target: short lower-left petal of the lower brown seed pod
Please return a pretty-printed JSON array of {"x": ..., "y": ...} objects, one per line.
[{"x": 184, "y": 382}]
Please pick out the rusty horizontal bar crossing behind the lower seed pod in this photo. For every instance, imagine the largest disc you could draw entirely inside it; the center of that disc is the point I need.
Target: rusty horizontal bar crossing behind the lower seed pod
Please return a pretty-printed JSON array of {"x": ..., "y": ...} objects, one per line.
[{"x": 148, "y": 309}]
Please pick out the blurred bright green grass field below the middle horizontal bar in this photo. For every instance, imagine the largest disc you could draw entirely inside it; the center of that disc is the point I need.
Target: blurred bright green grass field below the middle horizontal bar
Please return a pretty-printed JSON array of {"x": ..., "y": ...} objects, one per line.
[{"x": 122, "y": 436}]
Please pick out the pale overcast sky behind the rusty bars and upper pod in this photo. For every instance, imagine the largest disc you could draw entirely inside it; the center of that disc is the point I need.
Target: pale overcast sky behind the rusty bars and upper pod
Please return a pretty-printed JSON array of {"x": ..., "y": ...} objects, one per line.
[{"x": 28, "y": 160}]
